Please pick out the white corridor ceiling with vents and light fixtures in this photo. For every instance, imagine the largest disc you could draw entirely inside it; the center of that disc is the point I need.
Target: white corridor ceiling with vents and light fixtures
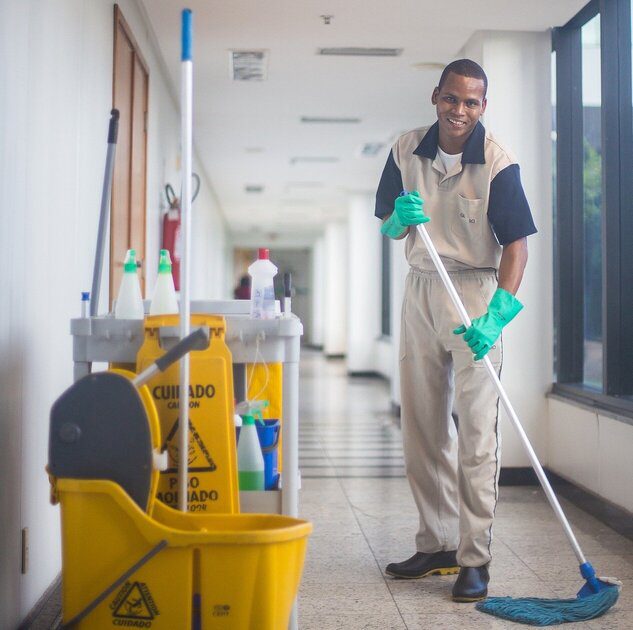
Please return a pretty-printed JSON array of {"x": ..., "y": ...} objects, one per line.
[{"x": 250, "y": 132}]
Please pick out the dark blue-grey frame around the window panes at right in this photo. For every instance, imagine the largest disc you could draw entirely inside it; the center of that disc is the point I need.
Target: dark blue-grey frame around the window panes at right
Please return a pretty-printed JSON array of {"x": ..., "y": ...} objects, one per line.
[{"x": 617, "y": 208}]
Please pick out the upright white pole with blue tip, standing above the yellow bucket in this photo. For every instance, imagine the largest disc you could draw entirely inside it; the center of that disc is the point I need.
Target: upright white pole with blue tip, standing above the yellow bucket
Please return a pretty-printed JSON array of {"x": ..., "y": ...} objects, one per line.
[{"x": 186, "y": 135}]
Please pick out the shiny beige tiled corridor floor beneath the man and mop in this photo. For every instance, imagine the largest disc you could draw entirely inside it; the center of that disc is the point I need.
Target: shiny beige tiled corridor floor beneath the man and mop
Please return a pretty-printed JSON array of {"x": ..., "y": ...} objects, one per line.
[{"x": 355, "y": 493}]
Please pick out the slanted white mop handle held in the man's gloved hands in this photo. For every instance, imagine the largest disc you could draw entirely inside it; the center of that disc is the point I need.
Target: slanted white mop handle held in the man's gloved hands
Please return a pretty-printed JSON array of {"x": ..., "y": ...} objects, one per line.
[{"x": 538, "y": 469}]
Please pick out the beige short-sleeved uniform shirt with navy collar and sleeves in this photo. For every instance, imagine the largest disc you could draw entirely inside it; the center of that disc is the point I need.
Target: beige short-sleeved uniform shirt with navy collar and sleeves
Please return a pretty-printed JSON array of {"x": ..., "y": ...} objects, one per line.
[{"x": 475, "y": 208}]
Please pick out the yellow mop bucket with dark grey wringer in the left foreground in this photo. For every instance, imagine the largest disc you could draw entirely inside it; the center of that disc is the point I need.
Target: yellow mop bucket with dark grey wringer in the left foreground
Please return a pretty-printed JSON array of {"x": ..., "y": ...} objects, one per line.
[{"x": 129, "y": 561}]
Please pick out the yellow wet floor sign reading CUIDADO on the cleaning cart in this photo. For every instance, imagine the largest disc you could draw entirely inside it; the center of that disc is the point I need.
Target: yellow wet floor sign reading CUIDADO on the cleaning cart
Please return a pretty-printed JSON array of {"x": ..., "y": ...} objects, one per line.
[{"x": 211, "y": 458}]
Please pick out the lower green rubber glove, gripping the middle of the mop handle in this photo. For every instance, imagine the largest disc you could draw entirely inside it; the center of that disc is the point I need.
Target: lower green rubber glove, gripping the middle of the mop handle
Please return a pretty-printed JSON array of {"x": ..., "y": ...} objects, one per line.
[{"x": 485, "y": 330}]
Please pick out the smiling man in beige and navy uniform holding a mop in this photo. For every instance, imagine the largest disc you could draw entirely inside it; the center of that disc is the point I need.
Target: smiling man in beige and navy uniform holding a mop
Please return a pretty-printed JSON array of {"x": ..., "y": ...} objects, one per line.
[{"x": 466, "y": 188}]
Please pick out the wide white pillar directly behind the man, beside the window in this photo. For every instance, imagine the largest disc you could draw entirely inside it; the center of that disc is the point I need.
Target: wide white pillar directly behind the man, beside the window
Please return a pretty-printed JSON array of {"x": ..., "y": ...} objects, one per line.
[{"x": 518, "y": 113}]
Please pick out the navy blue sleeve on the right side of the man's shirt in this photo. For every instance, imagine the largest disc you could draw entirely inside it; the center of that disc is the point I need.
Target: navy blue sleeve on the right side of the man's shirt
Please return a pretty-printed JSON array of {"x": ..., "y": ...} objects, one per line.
[{"x": 508, "y": 209}]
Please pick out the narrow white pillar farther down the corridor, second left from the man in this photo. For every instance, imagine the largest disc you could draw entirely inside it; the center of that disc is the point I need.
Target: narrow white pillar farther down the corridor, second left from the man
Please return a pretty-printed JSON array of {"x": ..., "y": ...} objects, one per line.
[{"x": 336, "y": 287}]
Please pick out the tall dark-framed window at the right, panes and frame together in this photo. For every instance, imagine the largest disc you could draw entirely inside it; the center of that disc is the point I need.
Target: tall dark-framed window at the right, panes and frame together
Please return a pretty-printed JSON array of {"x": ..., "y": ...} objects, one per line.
[{"x": 593, "y": 140}]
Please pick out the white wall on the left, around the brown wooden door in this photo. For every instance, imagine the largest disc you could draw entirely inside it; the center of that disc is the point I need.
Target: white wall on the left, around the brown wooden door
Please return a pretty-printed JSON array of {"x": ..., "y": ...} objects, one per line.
[{"x": 56, "y": 96}]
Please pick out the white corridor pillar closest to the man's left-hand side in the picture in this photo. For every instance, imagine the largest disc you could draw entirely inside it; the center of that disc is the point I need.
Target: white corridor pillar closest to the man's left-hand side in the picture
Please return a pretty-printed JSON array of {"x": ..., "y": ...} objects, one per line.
[{"x": 364, "y": 293}]
